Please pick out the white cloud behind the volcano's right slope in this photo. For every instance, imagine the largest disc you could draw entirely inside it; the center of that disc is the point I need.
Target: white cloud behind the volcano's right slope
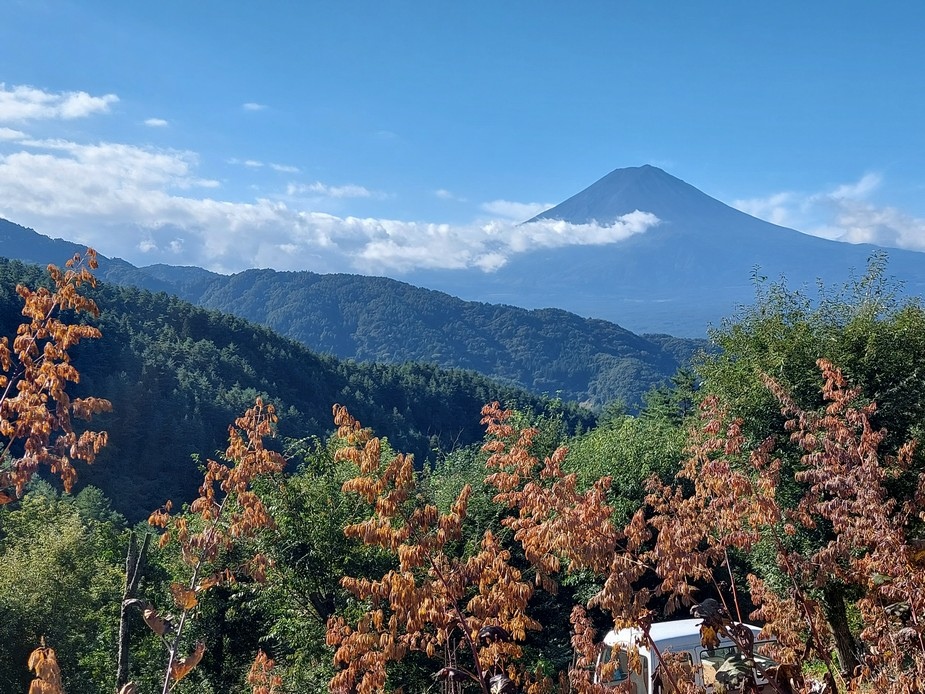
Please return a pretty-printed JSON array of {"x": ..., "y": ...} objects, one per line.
[{"x": 842, "y": 213}]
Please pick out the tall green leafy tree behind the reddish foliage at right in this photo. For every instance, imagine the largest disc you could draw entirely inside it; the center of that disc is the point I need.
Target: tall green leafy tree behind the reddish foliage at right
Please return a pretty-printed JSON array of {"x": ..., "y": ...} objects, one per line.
[{"x": 875, "y": 339}]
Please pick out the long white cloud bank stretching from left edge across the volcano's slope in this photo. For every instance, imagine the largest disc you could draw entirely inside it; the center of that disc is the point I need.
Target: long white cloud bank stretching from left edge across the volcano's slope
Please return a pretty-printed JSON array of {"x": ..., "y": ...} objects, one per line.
[{"x": 142, "y": 204}]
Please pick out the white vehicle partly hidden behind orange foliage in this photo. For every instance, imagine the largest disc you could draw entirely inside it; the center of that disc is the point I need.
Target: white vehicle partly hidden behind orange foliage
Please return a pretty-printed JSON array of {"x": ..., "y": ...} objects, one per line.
[{"x": 712, "y": 668}]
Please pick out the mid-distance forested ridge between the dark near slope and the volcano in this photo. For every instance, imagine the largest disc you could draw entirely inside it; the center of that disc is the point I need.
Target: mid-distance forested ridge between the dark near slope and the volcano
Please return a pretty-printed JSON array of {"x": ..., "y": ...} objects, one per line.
[{"x": 375, "y": 319}]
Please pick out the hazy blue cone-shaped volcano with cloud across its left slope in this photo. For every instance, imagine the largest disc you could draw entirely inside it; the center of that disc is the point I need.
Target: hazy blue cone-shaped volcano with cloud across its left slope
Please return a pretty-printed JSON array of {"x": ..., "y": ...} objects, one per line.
[{"x": 686, "y": 273}]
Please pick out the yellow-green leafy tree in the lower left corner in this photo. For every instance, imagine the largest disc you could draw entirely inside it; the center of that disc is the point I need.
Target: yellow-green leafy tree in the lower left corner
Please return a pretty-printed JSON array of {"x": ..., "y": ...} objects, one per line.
[{"x": 60, "y": 579}]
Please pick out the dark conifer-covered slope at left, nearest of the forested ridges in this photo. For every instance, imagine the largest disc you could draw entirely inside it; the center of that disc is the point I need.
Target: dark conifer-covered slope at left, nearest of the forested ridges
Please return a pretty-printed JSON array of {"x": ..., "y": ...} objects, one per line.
[{"x": 178, "y": 375}]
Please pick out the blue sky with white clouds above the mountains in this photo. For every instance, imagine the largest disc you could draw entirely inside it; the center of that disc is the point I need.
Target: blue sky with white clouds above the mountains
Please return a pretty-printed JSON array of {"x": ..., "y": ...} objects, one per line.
[{"x": 376, "y": 137}]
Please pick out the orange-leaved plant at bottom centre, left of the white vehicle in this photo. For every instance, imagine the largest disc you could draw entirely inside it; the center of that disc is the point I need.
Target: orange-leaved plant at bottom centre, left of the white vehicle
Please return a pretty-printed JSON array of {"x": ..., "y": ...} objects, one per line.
[{"x": 434, "y": 596}]
